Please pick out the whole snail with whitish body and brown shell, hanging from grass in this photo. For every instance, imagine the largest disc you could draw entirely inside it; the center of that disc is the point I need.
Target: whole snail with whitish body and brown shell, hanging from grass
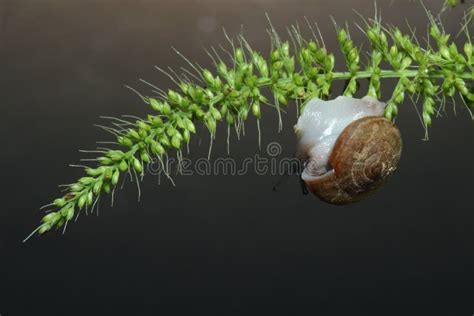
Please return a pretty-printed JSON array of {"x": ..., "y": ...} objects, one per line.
[{"x": 348, "y": 147}]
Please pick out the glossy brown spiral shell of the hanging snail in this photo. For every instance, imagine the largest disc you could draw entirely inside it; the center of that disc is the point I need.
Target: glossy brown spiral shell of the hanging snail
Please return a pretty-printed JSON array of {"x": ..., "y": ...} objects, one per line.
[{"x": 364, "y": 156}]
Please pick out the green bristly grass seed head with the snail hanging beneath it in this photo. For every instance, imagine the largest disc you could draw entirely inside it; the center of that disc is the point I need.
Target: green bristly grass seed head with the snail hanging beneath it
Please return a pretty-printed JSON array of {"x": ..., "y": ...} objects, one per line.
[{"x": 429, "y": 73}]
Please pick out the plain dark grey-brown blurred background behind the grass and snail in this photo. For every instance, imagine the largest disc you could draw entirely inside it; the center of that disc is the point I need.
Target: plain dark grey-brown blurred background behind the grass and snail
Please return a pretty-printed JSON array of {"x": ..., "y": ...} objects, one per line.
[{"x": 213, "y": 245}]
